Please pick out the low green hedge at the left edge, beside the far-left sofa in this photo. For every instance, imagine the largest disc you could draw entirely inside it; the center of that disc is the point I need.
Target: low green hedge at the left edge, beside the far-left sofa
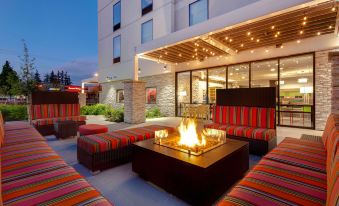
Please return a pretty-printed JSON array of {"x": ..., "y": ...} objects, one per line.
[{"x": 14, "y": 112}]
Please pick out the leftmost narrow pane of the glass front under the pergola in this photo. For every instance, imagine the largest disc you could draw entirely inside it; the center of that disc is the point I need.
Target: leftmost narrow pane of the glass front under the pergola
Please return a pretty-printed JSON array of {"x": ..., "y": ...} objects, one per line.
[{"x": 184, "y": 90}]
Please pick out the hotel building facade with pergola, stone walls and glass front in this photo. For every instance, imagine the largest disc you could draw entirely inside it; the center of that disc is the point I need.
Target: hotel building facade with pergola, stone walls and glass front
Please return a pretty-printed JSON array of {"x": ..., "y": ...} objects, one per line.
[{"x": 170, "y": 53}]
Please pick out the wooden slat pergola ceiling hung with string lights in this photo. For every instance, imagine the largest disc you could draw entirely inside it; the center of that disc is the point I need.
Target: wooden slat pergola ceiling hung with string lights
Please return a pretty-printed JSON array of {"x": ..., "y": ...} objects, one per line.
[{"x": 291, "y": 26}]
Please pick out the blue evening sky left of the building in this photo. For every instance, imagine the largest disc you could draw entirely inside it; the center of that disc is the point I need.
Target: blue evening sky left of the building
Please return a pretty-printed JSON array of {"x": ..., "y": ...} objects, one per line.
[{"x": 60, "y": 35}]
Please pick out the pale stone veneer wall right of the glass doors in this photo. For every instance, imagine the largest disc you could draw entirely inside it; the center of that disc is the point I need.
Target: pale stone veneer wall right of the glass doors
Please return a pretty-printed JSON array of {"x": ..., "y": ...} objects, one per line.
[{"x": 326, "y": 86}]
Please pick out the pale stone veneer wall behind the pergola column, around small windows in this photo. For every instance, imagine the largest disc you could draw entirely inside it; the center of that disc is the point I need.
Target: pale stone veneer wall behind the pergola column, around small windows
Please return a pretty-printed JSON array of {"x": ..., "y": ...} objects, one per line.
[{"x": 165, "y": 84}]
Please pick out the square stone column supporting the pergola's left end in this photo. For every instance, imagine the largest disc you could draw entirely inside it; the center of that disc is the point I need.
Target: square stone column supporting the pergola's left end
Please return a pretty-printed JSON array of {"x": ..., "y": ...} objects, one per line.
[{"x": 134, "y": 102}]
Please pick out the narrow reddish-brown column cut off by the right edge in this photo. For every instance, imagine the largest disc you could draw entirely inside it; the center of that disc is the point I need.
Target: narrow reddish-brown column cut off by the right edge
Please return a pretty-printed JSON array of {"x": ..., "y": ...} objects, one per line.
[{"x": 334, "y": 58}]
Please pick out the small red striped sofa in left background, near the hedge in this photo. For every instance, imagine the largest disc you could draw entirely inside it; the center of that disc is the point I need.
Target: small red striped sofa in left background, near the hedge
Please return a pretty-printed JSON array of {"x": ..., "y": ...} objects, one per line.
[{"x": 44, "y": 116}]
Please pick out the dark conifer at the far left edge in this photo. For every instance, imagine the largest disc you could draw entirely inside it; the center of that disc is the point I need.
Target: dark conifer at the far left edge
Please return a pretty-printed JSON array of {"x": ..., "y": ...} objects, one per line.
[{"x": 9, "y": 81}]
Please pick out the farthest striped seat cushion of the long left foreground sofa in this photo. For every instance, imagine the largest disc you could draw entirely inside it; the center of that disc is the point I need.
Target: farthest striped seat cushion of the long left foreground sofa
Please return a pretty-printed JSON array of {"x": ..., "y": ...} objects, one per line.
[{"x": 13, "y": 137}]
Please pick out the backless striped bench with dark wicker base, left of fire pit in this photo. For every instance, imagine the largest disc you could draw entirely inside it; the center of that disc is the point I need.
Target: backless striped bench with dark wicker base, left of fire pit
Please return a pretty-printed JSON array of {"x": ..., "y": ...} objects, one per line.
[{"x": 102, "y": 151}]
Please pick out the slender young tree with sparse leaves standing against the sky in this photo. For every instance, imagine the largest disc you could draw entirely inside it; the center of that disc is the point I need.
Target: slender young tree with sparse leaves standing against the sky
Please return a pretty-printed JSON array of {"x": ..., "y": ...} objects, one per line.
[{"x": 27, "y": 71}]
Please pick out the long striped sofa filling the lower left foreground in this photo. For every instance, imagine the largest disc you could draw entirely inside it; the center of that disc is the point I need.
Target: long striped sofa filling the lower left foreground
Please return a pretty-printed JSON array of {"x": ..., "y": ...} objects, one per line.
[{"x": 33, "y": 174}]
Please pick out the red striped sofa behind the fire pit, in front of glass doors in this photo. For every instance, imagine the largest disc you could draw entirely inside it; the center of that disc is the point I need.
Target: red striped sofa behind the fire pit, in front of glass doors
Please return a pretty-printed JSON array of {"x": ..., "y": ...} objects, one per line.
[{"x": 253, "y": 124}]
